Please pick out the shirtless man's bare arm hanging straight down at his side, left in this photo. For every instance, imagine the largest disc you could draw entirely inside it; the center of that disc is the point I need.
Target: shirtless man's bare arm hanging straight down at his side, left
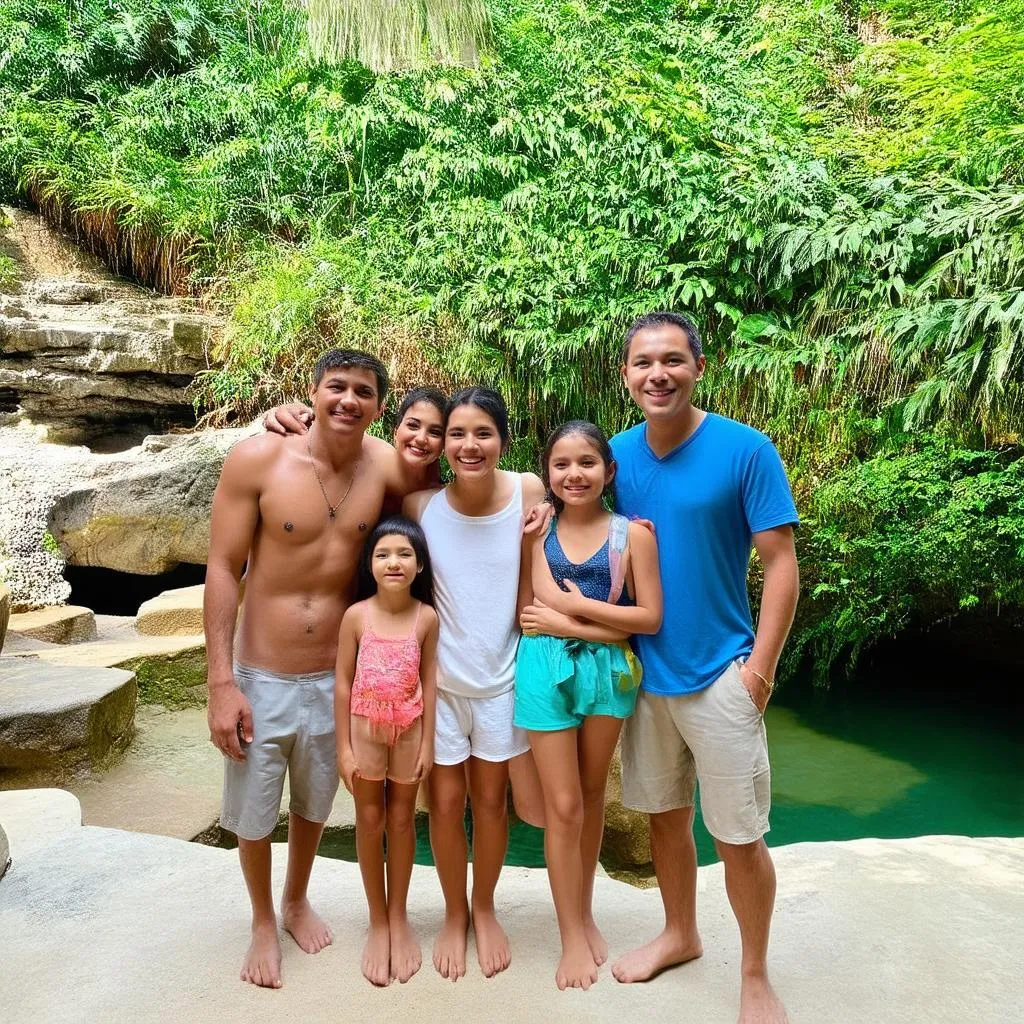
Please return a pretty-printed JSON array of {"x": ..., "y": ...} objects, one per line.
[{"x": 234, "y": 520}]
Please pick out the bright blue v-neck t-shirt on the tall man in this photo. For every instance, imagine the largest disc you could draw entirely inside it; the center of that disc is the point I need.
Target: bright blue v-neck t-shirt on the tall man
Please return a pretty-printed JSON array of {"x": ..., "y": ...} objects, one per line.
[{"x": 706, "y": 498}]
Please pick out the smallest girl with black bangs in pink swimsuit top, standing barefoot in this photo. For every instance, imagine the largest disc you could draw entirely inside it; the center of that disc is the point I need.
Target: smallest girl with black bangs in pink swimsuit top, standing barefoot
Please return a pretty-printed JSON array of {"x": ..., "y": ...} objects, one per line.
[{"x": 385, "y": 715}]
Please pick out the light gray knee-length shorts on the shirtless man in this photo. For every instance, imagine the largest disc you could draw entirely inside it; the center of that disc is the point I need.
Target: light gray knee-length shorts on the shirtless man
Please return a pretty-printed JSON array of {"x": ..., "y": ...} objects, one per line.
[{"x": 293, "y": 732}]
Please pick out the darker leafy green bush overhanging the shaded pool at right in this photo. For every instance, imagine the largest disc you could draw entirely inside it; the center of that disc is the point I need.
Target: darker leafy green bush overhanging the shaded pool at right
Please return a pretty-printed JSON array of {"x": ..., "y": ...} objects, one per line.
[{"x": 919, "y": 533}]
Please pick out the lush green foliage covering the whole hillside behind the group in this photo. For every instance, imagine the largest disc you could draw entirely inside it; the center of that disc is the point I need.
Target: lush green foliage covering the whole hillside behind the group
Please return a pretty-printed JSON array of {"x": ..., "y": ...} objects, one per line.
[{"x": 836, "y": 193}]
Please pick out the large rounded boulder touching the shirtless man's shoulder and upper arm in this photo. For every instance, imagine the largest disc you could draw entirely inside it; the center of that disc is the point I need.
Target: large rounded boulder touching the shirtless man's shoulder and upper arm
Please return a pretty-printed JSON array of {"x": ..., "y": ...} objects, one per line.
[{"x": 148, "y": 510}]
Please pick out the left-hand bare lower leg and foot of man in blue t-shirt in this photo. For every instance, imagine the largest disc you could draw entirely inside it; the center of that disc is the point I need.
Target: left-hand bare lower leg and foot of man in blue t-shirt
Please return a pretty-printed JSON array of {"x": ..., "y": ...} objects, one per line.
[{"x": 676, "y": 867}]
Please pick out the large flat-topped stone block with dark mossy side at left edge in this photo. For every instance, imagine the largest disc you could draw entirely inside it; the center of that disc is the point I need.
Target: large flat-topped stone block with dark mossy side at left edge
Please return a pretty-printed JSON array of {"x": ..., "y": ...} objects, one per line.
[{"x": 55, "y": 715}]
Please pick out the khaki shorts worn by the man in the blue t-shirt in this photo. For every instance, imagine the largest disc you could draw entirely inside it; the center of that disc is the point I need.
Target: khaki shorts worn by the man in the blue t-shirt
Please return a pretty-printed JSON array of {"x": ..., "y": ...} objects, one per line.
[{"x": 717, "y": 737}]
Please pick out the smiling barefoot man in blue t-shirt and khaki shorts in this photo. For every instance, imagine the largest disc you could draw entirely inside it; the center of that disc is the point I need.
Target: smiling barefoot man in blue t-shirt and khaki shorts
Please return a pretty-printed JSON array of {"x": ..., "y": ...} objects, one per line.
[{"x": 713, "y": 489}]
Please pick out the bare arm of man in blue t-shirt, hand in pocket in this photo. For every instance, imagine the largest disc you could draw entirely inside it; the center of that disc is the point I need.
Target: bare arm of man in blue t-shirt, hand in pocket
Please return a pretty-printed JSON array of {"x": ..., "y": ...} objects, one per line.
[{"x": 778, "y": 552}]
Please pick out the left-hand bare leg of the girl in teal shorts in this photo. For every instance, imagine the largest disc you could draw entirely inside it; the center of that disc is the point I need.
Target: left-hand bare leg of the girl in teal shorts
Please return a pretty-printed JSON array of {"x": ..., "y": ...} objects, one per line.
[{"x": 558, "y": 761}]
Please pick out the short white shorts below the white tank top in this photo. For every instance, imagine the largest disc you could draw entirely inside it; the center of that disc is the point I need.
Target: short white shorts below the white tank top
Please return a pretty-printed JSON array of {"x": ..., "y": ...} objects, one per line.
[{"x": 480, "y": 728}]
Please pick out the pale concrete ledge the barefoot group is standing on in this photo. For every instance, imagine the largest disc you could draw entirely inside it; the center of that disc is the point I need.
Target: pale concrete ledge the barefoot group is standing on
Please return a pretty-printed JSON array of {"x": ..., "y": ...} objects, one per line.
[{"x": 104, "y": 925}]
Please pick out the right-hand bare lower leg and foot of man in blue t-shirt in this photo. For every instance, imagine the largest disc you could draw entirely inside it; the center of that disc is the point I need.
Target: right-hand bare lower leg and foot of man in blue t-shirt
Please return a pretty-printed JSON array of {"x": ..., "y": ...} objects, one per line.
[{"x": 750, "y": 882}]
